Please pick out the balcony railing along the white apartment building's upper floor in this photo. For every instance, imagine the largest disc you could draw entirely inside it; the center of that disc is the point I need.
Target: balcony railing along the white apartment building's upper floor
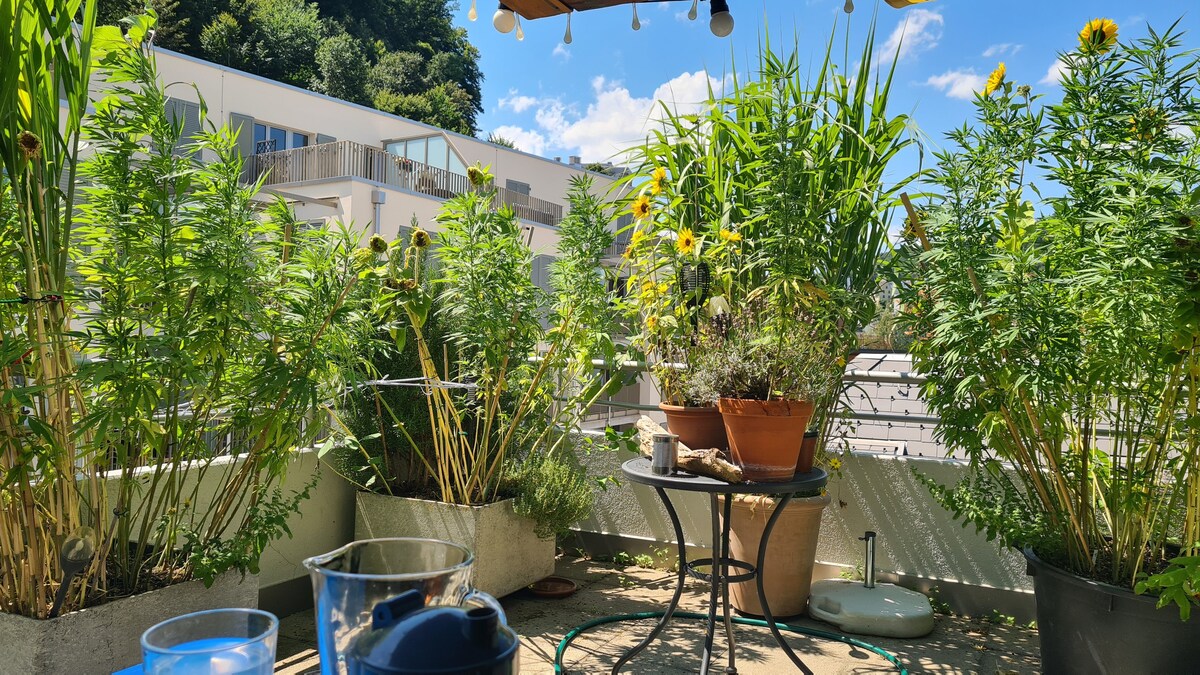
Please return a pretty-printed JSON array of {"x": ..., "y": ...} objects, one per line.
[{"x": 346, "y": 159}]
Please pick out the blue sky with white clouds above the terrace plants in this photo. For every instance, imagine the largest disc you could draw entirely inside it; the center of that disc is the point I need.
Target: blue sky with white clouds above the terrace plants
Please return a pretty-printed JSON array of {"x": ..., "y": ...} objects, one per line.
[{"x": 595, "y": 97}]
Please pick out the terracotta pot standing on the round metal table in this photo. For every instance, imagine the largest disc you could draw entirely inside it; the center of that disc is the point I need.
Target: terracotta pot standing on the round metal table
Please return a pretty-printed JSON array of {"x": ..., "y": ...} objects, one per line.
[{"x": 766, "y": 437}]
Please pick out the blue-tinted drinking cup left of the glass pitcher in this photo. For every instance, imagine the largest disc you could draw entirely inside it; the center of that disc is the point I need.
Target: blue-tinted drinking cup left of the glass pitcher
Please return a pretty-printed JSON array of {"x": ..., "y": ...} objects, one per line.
[{"x": 218, "y": 642}]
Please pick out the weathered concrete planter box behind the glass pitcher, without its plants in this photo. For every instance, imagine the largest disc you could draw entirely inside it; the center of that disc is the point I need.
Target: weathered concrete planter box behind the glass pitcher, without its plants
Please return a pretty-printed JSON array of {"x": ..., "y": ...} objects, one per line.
[{"x": 508, "y": 555}]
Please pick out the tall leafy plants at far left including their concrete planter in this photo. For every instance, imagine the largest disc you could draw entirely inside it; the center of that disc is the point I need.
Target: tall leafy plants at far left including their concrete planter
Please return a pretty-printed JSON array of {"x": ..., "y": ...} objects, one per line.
[{"x": 163, "y": 344}]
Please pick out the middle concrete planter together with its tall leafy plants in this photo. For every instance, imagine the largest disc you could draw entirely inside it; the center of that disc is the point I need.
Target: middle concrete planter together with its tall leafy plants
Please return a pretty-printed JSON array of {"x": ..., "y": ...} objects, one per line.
[{"x": 489, "y": 458}]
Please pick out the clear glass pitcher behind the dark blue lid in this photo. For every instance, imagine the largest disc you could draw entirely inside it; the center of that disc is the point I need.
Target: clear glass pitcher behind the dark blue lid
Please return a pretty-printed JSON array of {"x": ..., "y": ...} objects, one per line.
[{"x": 350, "y": 582}]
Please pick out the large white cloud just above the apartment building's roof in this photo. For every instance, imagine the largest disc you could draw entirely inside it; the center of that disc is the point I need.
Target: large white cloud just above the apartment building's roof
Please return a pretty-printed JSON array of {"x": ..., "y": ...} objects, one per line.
[{"x": 614, "y": 121}]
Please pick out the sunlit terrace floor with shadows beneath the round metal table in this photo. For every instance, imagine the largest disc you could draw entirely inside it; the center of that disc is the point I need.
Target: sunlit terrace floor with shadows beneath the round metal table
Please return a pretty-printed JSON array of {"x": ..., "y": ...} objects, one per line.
[{"x": 957, "y": 644}]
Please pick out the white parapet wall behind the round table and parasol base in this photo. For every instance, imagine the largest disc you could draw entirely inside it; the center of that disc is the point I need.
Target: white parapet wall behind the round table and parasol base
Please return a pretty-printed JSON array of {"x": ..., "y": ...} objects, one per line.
[{"x": 920, "y": 543}]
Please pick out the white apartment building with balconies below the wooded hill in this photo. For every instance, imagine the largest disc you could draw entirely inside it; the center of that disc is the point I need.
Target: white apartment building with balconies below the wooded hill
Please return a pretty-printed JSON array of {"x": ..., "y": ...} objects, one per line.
[{"x": 339, "y": 160}]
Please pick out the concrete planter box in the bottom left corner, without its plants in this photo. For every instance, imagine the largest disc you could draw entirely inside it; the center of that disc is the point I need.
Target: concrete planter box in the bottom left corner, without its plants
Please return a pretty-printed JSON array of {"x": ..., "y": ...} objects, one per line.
[{"x": 106, "y": 638}]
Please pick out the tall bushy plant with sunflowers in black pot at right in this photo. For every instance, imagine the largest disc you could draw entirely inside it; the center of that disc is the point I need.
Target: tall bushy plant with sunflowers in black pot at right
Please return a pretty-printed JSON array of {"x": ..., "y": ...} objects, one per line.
[{"x": 1053, "y": 295}]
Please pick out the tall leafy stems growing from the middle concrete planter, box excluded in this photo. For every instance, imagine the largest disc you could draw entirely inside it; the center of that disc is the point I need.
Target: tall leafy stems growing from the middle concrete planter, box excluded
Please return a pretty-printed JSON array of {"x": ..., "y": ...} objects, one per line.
[{"x": 517, "y": 372}]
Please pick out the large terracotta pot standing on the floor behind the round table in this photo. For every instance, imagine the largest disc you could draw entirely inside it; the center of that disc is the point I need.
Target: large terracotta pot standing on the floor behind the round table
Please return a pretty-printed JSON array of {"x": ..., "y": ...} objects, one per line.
[{"x": 791, "y": 554}]
